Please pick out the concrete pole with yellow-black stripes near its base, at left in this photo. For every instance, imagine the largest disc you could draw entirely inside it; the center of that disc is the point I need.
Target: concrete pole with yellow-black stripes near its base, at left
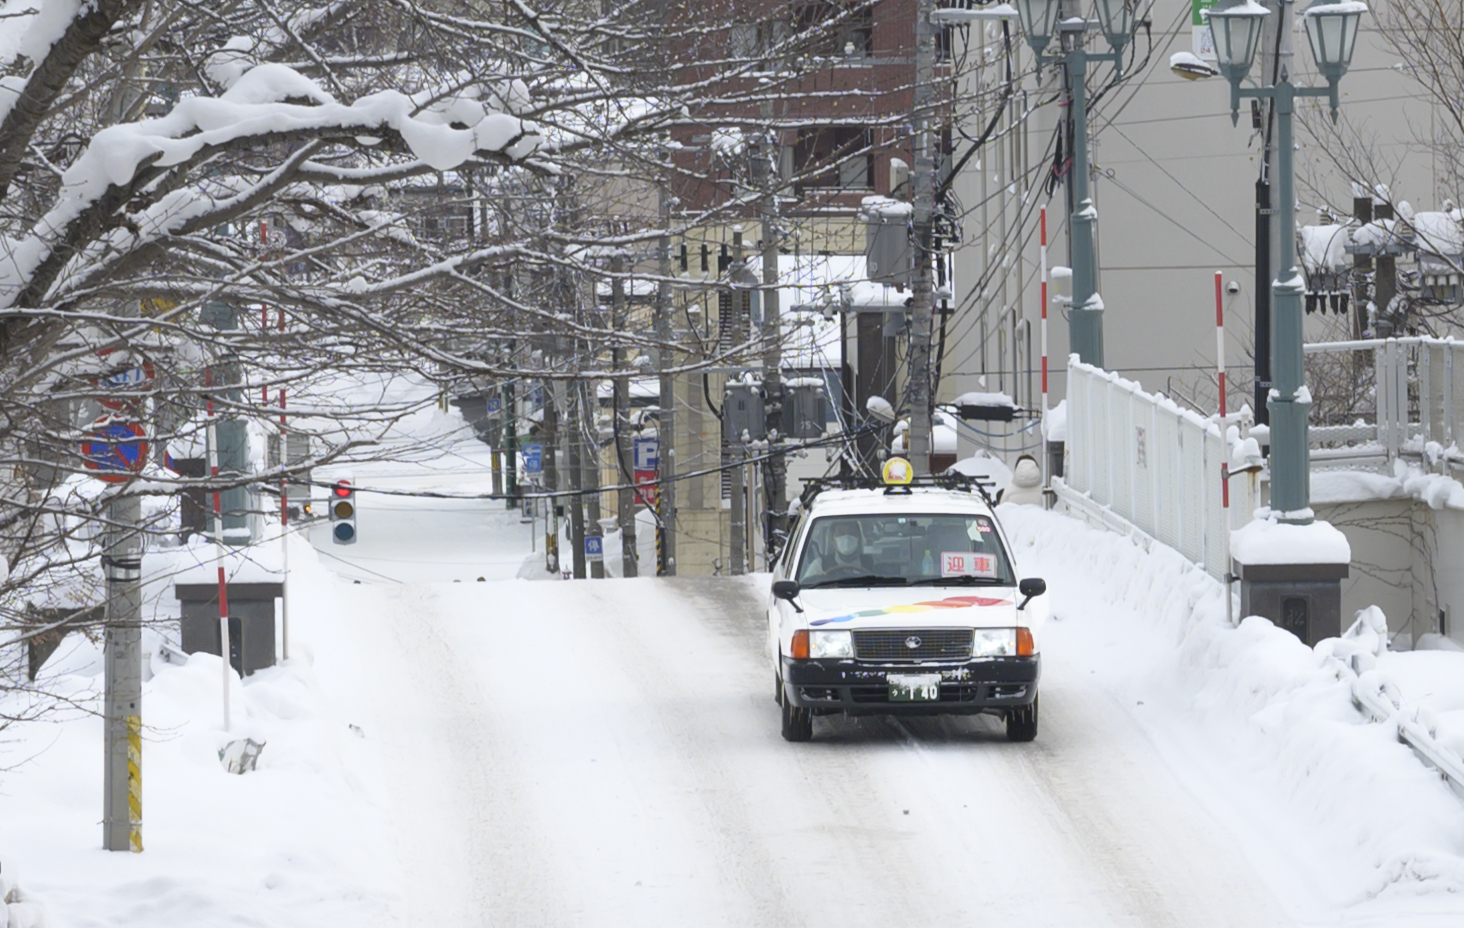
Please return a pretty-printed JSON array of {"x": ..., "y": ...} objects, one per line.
[{"x": 122, "y": 730}]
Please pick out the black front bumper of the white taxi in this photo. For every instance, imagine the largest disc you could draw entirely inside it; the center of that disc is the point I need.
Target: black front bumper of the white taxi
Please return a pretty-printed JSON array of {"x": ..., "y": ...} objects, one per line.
[{"x": 863, "y": 689}]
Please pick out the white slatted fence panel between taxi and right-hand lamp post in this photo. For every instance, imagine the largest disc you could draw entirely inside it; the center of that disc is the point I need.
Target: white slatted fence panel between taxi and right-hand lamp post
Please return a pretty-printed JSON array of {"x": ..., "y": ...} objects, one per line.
[{"x": 1149, "y": 462}]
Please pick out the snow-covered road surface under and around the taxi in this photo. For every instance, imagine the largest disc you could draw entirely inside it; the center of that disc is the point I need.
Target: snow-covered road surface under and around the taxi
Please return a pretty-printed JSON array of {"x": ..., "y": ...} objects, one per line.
[{"x": 608, "y": 755}]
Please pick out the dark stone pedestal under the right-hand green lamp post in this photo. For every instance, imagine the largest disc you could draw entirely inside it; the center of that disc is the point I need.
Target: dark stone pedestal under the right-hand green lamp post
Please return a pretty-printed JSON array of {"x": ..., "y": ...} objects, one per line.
[{"x": 1304, "y": 599}]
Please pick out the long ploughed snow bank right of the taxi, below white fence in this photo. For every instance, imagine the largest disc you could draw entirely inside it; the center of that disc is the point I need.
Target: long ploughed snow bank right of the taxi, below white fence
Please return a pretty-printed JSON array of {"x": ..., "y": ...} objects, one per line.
[{"x": 1267, "y": 721}]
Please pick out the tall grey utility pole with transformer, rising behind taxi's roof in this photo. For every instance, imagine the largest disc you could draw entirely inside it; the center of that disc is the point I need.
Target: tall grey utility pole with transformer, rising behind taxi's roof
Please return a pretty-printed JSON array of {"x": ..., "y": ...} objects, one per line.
[{"x": 923, "y": 190}]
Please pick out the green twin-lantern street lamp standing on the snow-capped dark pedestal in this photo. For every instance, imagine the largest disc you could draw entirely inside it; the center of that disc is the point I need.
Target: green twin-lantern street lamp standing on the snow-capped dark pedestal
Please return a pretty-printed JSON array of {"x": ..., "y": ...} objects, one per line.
[{"x": 1332, "y": 30}]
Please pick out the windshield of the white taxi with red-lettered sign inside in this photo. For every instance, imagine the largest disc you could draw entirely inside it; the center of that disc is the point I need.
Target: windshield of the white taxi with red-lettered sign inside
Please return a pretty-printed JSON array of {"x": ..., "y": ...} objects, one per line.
[{"x": 948, "y": 550}]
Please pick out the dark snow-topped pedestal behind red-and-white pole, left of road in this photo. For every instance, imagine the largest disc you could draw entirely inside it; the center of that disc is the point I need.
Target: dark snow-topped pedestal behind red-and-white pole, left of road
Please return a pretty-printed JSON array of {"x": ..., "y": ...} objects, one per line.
[{"x": 251, "y": 623}]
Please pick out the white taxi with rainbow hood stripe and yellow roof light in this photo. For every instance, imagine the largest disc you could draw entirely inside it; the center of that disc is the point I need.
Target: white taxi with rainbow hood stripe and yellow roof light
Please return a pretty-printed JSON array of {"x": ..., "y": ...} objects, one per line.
[{"x": 904, "y": 599}]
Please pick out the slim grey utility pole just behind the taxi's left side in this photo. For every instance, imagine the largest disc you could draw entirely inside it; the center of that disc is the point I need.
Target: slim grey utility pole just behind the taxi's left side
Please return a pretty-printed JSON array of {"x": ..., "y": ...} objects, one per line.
[{"x": 777, "y": 468}]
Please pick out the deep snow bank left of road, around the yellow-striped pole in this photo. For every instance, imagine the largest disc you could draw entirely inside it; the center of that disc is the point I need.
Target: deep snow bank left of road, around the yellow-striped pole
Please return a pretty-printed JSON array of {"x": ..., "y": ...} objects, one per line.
[{"x": 296, "y": 842}]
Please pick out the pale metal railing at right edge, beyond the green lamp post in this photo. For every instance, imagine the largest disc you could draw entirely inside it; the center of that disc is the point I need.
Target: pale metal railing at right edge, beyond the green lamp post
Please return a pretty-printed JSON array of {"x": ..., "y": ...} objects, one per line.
[{"x": 1419, "y": 403}]
